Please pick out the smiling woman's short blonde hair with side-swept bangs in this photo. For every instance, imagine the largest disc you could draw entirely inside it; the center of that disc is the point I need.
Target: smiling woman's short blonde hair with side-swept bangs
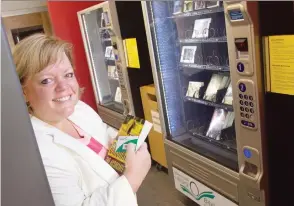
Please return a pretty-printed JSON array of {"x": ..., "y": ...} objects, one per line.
[{"x": 36, "y": 52}]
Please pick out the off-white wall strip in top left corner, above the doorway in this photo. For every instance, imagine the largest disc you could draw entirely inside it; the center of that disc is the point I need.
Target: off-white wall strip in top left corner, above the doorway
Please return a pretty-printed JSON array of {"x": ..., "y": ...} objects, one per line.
[{"x": 12, "y": 8}]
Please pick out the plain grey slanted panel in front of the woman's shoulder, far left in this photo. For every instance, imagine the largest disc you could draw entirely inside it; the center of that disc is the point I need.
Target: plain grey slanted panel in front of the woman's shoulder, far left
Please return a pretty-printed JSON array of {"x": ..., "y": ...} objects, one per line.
[{"x": 23, "y": 177}]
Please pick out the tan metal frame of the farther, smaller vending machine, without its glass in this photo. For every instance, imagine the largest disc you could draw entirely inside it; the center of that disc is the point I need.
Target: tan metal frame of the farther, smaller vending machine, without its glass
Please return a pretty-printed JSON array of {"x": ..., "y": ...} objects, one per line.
[{"x": 109, "y": 116}]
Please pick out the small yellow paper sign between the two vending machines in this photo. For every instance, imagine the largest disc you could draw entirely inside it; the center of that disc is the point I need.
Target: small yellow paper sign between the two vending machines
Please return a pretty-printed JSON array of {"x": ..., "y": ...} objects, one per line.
[{"x": 131, "y": 53}]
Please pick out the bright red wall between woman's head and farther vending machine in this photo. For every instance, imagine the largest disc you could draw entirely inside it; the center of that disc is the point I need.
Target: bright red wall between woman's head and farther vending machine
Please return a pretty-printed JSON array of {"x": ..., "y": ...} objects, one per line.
[{"x": 63, "y": 15}]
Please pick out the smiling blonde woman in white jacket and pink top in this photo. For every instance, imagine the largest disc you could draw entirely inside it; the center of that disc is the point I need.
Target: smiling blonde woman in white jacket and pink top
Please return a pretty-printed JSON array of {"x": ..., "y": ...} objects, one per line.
[{"x": 72, "y": 138}]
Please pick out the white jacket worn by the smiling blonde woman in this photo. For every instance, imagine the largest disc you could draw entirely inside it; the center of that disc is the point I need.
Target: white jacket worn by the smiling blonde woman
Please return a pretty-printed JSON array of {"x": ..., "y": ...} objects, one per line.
[{"x": 76, "y": 174}]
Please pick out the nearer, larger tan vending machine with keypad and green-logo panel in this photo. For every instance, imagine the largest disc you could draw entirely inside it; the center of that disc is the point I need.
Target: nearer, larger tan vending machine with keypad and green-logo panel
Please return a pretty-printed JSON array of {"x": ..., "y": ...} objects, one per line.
[{"x": 206, "y": 65}]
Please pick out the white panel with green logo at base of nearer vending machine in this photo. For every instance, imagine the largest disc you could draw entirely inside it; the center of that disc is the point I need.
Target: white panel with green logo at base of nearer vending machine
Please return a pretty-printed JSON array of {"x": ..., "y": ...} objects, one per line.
[{"x": 198, "y": 192}]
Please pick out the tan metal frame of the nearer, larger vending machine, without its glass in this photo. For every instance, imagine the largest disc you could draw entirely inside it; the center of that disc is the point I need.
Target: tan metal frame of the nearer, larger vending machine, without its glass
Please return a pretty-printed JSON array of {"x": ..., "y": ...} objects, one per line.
[{"x": 248, "y": 186}]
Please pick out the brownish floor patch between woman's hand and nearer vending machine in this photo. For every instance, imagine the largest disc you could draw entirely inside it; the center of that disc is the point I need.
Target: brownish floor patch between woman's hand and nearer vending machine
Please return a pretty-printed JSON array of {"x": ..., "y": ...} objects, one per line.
[{"x": 158, "y": 190}]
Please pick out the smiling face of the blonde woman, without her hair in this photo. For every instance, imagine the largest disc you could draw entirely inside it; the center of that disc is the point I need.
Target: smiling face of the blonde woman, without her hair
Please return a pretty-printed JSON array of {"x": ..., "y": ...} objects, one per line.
[{"x": 53, "y": 92}]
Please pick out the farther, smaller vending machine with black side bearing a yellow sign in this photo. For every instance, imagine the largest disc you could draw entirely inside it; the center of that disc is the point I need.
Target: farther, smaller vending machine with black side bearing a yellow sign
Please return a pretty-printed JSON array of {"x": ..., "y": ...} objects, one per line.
[{"x": 118, "y": 58}]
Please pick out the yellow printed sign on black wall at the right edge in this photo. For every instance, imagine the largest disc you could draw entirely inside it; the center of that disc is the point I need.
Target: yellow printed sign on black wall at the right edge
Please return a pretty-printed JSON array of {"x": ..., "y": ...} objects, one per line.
[{"x": 281, "y": 64}]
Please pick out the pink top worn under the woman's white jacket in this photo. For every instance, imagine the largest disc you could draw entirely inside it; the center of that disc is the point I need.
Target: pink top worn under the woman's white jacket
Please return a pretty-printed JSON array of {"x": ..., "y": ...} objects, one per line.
[{"x": 91, "y": 142}]
